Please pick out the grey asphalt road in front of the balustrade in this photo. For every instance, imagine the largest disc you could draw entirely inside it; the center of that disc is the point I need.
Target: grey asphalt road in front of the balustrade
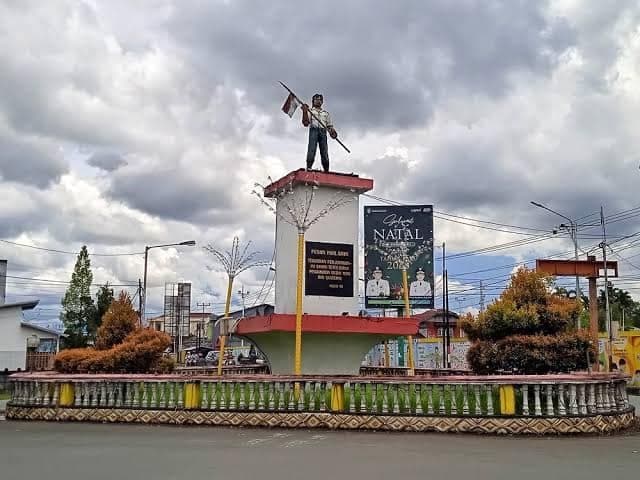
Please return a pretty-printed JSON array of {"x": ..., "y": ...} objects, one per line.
[{"x": 93, "y": 451}]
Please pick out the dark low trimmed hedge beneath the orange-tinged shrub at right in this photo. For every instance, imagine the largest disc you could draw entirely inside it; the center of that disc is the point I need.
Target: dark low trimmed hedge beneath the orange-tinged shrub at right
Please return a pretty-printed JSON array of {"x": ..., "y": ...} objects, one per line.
[{"x": 532, "y": 354}]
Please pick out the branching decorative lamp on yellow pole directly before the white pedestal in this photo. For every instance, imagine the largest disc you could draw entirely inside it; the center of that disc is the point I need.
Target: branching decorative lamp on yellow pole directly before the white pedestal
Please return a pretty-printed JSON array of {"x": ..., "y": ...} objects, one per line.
[{"x": 296, "y": 211}]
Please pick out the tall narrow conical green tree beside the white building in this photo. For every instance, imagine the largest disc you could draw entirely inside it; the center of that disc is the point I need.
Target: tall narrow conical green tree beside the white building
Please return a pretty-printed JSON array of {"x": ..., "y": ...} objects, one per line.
[{"x": 78, "y": 308}]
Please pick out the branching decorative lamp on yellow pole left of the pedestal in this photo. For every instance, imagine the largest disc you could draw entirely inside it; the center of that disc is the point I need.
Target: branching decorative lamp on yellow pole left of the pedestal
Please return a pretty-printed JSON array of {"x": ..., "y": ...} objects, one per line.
[{"x": 234, "y": 262}]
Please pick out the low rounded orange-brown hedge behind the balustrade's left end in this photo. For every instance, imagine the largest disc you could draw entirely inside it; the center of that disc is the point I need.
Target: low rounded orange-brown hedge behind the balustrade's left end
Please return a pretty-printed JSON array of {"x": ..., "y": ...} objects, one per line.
[{"x": 141, "y": 352}]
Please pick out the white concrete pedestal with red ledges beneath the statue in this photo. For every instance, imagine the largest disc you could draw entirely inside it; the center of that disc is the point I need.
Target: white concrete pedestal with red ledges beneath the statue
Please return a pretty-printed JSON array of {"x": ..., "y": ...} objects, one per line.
[{"x": 334, "y": 339}]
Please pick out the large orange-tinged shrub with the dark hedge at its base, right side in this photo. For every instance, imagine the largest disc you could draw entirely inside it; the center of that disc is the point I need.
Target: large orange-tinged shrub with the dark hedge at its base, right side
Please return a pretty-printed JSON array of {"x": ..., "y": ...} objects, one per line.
[{"x": 527, "y": 330}]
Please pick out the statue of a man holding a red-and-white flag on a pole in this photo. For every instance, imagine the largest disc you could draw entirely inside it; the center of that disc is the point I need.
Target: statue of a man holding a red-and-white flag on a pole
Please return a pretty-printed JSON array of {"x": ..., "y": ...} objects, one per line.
[{"x": 319, "y": 123}]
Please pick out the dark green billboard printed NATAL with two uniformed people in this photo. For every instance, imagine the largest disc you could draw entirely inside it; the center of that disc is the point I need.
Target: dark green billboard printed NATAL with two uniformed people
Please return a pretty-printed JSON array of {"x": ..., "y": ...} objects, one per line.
[{"x": 398, "y": 237}]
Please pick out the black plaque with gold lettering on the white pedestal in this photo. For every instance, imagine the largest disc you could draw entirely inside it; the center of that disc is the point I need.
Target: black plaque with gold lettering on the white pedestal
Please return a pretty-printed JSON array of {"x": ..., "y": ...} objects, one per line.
[{"x": 329, "y": 269}]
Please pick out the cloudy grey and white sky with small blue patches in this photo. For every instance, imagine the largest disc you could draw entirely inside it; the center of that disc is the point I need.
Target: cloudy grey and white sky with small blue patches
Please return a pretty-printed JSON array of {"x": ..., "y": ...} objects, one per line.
[{"x": 125, "y": 124}]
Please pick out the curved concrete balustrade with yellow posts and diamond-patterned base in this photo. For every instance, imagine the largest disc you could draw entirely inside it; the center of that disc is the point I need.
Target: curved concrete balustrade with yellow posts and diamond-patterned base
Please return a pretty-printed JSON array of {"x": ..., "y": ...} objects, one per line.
[{"x": 501, "y": 404}]
